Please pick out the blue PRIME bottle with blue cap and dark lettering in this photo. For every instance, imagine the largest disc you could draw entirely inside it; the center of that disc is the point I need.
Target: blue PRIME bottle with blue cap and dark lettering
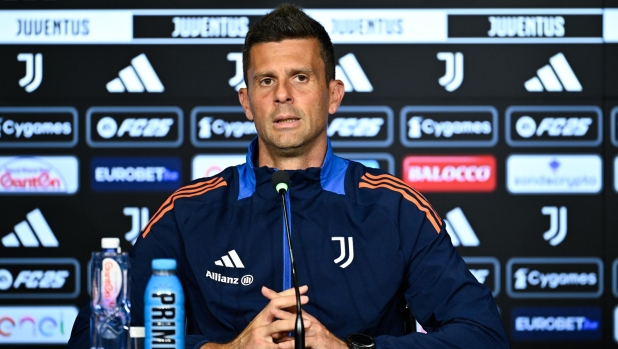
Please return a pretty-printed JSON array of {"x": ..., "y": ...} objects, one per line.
[{"x": 164, "y": 307}]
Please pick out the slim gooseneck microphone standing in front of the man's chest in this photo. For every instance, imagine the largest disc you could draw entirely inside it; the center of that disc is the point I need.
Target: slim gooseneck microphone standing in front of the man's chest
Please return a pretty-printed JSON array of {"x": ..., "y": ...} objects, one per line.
[{"x": 281, "y": 182}]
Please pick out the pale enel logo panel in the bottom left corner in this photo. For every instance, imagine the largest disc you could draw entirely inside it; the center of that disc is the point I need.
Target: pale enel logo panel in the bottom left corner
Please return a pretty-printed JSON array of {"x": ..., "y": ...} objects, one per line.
[{"x": 36, "y": 324}]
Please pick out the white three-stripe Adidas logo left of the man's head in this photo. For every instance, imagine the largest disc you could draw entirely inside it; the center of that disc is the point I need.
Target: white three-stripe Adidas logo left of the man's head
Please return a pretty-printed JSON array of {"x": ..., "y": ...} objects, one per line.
[{"x": 135, "y": 78}]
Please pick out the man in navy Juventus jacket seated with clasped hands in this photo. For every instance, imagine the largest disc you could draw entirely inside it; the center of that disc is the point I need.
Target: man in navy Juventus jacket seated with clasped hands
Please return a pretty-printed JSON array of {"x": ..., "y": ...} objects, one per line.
[{"x": 365, "y": 243}]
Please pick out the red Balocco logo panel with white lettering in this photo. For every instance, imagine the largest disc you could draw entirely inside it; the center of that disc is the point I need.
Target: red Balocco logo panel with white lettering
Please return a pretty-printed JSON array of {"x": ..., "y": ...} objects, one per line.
[{"x": 474, "y": 173}]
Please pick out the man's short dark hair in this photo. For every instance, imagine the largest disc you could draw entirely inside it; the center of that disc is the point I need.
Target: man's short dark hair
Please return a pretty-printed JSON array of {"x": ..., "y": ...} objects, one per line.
[{"x": 289, "y": 22}]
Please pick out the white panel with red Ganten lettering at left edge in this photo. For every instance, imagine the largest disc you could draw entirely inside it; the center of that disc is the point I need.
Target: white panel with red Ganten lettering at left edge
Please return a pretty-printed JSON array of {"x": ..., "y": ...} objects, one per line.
[{"x": 53, "y": 175}]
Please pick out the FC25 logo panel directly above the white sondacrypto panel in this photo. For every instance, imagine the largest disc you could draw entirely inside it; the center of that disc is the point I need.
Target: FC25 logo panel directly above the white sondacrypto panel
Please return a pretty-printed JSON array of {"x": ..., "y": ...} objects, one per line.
[{"x": 554, "y": 126}]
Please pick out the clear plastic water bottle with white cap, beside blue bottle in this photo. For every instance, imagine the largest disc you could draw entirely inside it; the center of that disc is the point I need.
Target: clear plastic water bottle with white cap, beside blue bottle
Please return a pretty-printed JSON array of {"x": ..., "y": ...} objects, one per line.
[{"x": 110, "y": 306}]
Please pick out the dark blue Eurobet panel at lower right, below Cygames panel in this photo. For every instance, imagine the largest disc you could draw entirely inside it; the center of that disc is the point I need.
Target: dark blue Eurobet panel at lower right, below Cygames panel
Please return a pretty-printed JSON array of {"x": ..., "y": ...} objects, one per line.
[{"x": 556, "y": 323}]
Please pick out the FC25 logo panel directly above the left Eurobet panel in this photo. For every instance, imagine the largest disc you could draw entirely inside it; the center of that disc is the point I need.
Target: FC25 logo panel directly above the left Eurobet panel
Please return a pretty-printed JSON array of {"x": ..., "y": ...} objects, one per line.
[{"x": 134, "y": 127}]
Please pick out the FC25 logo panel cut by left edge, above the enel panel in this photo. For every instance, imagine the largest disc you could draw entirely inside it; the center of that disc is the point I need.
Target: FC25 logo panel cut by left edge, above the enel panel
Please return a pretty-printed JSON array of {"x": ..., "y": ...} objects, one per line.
[{"x": 50, "y": 278}]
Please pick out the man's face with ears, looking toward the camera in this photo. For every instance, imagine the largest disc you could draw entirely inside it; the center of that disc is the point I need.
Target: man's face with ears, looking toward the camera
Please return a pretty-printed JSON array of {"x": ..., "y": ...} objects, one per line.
[{"x": 288, "y": 96}]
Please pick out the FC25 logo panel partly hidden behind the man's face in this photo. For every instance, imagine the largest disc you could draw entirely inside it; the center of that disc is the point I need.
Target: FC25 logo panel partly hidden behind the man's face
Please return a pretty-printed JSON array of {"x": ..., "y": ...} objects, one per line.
[{"x": 361, "y": 126}]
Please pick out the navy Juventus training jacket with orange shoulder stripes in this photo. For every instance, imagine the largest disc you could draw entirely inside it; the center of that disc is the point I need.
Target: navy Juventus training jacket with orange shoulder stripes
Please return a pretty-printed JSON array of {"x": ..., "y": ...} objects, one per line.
[{"x": 227, "y": 234}]
